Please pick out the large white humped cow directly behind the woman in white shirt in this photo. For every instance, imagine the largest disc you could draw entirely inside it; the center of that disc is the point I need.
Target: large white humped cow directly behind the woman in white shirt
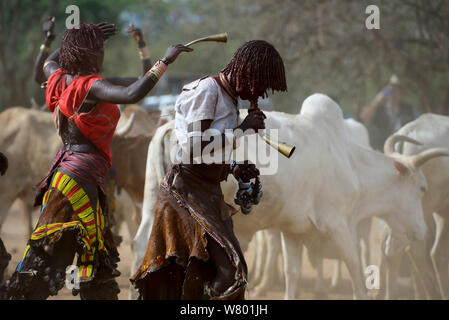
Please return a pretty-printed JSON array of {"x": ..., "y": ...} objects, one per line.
[{"x": 328, "y": 186}]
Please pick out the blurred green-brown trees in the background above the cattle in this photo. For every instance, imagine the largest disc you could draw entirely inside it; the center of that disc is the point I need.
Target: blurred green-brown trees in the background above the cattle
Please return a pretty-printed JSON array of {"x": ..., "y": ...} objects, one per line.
[{"x": 325, "y": 44}]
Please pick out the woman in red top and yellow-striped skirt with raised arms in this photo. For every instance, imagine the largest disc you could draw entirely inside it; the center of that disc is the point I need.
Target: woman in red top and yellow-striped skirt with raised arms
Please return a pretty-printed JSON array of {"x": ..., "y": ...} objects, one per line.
[{"x": 74, "y": 217}]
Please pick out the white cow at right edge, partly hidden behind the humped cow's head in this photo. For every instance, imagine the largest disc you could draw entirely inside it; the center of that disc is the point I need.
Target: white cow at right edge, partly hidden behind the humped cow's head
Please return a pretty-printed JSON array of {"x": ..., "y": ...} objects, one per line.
[{"x": 432, "y": 131}]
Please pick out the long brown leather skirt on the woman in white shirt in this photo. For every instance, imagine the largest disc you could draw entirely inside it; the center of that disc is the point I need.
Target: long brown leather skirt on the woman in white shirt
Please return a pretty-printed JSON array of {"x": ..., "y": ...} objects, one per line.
[{"x": 176, "y": 265}]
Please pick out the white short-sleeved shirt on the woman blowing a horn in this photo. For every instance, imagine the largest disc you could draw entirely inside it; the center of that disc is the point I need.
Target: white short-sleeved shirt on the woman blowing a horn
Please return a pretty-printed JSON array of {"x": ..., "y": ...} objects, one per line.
[{"x": 203, "y": 99}]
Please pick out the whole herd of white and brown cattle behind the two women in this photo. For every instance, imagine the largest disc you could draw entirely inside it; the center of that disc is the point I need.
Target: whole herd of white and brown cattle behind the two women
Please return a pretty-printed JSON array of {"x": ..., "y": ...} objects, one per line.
[{"x": 326, "y": 198}]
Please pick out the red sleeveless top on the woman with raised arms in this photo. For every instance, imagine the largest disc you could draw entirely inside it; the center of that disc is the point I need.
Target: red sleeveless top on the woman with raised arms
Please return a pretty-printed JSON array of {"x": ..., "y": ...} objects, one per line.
[{"x": 97, "y": 125}]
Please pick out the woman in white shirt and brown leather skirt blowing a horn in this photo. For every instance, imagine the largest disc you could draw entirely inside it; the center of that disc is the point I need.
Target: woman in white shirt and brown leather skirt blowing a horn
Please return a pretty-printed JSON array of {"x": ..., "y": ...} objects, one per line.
[{"x": 193, "y": 252}]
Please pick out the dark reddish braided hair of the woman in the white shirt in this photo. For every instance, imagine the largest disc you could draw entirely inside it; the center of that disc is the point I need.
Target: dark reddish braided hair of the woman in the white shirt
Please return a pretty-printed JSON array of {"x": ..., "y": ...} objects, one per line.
[{"x": 257, "y": 62}]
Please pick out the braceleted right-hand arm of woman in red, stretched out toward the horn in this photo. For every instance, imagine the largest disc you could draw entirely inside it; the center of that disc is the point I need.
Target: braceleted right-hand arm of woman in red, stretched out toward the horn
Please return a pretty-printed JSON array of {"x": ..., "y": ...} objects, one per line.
[{"x": 106, "y": 91}]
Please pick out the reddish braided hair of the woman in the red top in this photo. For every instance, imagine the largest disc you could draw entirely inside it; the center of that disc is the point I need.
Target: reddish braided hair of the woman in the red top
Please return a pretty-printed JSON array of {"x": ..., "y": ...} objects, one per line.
[{"x": 81, "y": 48}]
